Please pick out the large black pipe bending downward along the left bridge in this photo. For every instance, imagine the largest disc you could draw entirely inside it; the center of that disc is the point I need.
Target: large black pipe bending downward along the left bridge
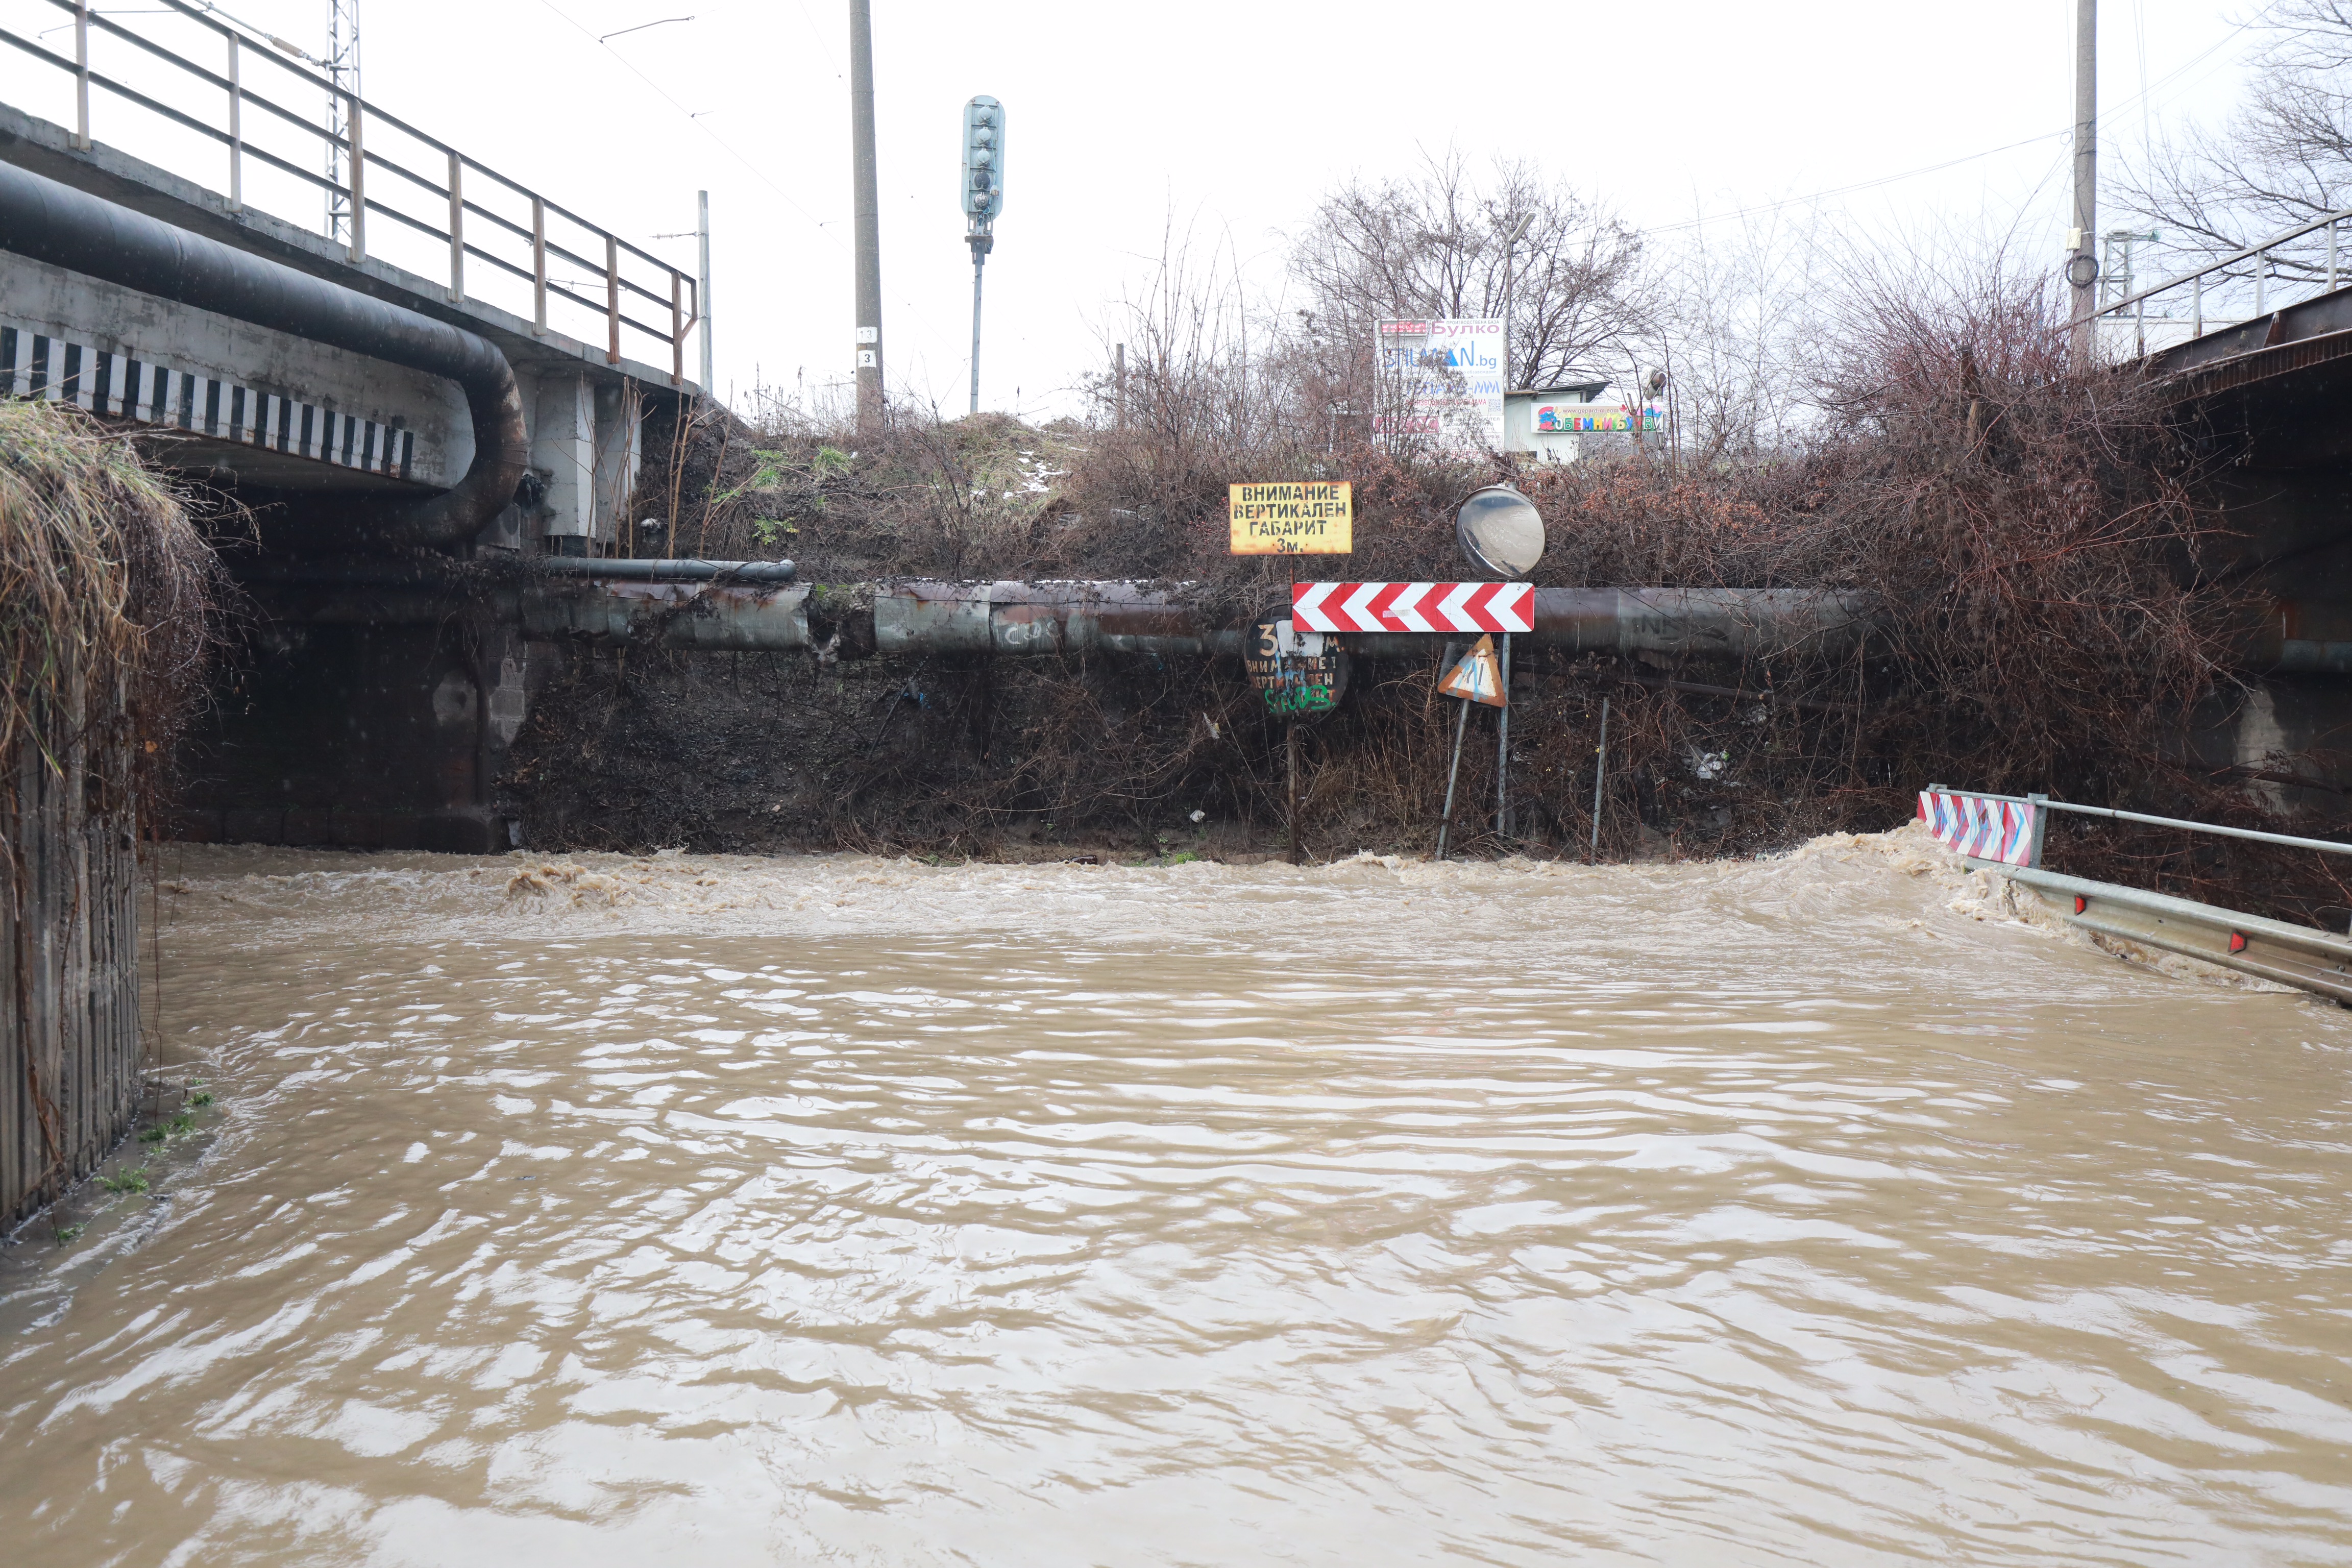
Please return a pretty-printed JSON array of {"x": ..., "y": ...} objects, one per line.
[{"x": 86, "y": 234}]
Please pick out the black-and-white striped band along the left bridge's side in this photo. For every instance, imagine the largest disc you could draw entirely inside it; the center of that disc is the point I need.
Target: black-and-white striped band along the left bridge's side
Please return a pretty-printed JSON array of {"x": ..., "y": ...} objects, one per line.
[{"x": 156, "y": 394}]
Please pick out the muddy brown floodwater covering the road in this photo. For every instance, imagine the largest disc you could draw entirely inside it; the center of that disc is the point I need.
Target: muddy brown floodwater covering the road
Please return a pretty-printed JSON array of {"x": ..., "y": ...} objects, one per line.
[{"x": 853, "y": 1212}]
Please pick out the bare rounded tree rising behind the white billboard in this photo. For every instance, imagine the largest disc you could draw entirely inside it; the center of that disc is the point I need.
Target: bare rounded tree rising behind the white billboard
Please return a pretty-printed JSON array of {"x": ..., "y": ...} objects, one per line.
[{"x": 1436, "y": 243}]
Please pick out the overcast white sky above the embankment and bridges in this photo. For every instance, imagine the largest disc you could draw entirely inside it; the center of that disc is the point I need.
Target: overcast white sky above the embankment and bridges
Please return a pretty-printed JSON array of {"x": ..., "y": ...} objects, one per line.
[{"x": 1231, "y": 119}]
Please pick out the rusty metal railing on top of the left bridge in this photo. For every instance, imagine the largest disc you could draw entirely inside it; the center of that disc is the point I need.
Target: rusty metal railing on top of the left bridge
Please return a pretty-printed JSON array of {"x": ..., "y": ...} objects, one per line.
[{"x": 516, "y": 246}]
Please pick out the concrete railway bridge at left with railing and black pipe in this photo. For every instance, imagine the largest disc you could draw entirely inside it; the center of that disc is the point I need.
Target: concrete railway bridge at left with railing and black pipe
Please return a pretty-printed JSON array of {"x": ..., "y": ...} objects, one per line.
[{"x": 359, "y": 333}]
